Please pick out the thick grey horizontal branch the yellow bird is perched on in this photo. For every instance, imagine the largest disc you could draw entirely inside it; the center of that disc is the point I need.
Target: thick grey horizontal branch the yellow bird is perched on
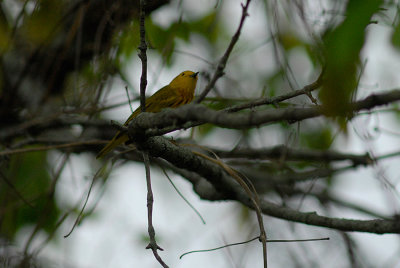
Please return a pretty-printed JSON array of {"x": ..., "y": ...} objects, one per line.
[{"x": 199, "y": 114}]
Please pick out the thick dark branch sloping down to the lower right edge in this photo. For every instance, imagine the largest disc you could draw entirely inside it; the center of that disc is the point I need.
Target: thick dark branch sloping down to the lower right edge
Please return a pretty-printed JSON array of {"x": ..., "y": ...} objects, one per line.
[{"x": 184, "y": 158}]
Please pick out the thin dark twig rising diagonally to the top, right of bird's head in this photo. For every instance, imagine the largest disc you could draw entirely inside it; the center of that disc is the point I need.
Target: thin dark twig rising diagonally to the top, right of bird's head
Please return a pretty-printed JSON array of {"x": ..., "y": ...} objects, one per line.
[{"x": 222, "y": 62}]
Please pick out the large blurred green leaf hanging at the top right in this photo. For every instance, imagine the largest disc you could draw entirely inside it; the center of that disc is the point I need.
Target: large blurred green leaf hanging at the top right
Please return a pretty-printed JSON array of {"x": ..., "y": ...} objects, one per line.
[{"x": 342, "y": 55}]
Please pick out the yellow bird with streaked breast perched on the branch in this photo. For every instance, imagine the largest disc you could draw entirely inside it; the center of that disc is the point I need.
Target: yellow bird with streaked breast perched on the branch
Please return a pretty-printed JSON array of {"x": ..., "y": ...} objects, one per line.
[{"x": 179, "y": 92}]
